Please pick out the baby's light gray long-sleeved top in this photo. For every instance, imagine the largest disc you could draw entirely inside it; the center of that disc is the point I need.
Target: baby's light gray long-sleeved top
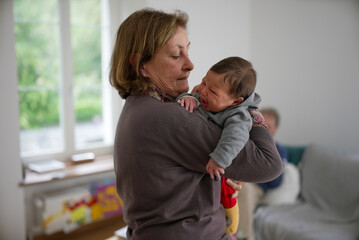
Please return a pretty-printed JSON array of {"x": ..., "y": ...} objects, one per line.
[{"x": 236, "y": 123}]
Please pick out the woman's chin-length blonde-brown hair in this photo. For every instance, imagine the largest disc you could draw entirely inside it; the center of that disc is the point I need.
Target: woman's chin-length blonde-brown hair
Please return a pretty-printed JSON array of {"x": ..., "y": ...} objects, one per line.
[{"x": 138, "y": 38}]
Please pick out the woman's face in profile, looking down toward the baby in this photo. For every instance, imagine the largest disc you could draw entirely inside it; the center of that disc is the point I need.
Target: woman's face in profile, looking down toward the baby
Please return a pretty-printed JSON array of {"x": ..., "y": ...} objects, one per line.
[{"x": 170, "y": 67}]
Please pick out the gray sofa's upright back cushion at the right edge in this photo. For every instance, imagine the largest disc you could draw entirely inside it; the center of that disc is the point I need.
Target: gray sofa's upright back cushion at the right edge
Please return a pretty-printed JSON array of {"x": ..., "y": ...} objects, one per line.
[{"x": 330, "y": 182}]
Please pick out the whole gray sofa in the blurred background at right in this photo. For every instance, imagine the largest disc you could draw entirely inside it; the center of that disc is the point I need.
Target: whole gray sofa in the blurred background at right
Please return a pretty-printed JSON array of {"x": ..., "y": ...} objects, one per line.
[{"x": 328, "y": 204}]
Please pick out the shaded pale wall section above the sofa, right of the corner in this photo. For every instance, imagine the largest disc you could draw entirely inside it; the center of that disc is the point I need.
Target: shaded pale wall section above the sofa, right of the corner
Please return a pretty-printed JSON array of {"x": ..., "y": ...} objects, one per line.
[{"x": 307, "y": 57}]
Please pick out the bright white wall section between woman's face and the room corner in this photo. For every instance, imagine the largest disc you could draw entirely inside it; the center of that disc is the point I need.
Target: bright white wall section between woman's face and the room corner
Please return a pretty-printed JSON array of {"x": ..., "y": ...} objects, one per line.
[{"x": 216, "y": 29}]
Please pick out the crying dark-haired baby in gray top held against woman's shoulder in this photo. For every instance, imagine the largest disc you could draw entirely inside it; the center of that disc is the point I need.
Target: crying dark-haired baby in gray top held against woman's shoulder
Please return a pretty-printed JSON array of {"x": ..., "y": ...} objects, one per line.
[{"x": 225, "y": 96}]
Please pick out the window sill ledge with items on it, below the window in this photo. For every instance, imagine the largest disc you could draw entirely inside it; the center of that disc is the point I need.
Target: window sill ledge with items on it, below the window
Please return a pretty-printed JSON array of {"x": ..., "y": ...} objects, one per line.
[{"x": 100, "y": 165}]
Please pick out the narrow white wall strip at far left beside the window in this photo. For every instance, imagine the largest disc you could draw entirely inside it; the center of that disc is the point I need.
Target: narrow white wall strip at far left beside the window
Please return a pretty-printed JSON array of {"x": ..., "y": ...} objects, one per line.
[{"x": 12, "y": 220}]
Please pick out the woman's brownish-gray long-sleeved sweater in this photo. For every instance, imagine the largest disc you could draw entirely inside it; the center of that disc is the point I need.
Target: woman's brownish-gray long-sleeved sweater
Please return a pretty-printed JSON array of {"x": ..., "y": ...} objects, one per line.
[{"x": 160, "y": 154}]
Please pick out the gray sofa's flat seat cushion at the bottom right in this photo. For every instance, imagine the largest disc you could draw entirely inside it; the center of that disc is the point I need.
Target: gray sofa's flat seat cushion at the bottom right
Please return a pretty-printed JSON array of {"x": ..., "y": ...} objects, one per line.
[{"x": 300, "y": 221}]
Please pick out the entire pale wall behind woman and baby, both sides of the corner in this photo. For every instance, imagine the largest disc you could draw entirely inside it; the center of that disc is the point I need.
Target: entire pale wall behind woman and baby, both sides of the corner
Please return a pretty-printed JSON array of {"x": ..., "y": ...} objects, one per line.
[{"x": 306, "y": 54}]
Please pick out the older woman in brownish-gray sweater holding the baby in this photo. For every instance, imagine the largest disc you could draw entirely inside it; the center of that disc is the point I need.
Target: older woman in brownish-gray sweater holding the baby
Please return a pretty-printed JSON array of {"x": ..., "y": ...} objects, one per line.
[{"x": 161, "y": 150}]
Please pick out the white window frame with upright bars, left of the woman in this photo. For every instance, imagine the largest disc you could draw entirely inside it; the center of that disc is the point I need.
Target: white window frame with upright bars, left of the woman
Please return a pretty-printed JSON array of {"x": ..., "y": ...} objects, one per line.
[{"x": 111, "y": 102}]
